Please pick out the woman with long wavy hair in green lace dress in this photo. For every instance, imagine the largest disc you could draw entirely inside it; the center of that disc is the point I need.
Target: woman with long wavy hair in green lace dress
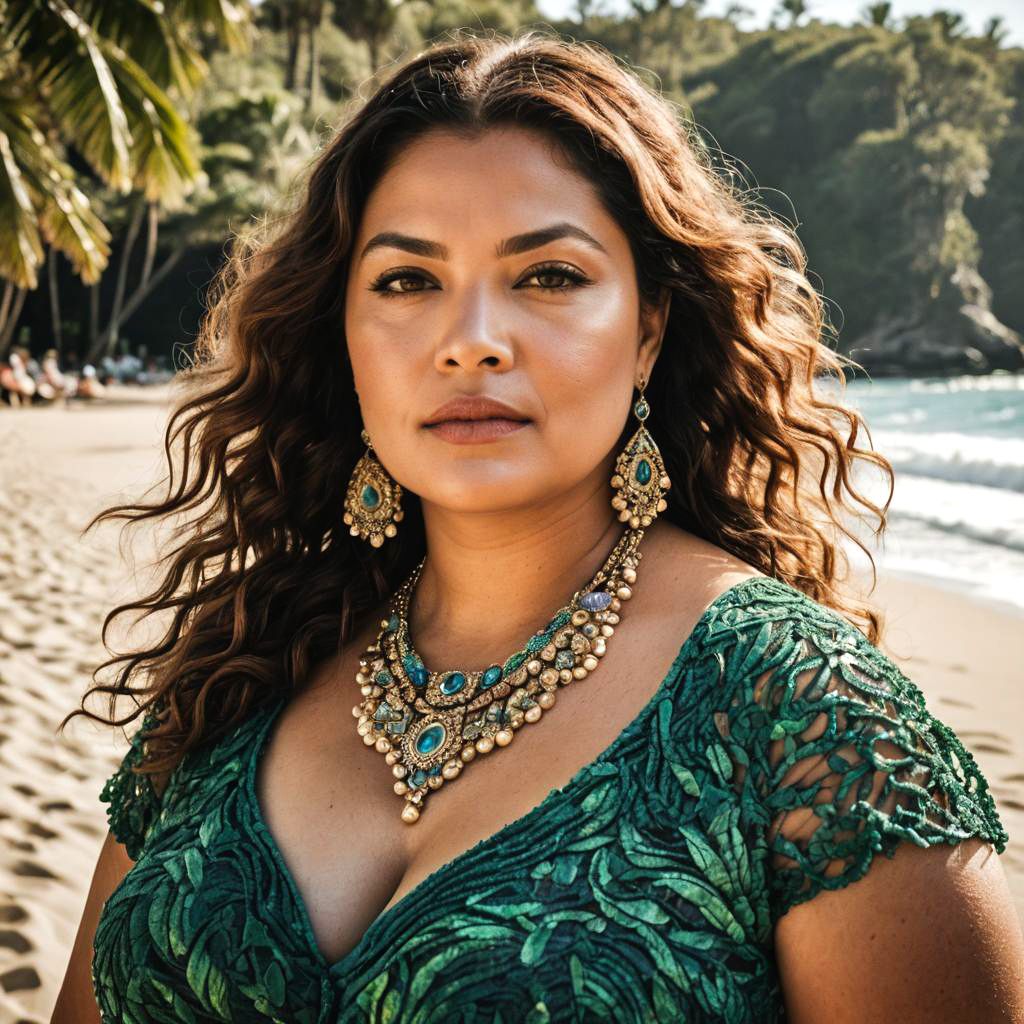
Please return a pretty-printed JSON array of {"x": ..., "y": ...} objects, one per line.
[{"x": 514, "y": 418}]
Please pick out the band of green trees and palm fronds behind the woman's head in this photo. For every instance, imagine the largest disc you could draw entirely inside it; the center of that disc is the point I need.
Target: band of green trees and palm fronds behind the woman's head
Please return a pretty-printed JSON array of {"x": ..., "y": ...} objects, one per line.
[{"x": 895, "y": 150}]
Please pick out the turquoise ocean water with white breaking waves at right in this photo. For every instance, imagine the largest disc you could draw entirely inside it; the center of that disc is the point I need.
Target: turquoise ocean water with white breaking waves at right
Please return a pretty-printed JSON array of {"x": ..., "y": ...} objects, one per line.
[{"x": 957, "y": 447}]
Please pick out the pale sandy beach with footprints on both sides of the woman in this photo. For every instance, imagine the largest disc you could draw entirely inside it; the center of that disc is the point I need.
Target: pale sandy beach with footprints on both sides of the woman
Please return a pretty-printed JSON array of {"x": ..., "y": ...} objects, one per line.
[{"x": 61, "y": 466}]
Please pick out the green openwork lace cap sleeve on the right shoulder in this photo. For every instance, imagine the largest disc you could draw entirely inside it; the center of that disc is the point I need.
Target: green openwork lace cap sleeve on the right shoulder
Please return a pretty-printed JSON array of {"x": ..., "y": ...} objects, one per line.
[{"x": 849, "y": 761}]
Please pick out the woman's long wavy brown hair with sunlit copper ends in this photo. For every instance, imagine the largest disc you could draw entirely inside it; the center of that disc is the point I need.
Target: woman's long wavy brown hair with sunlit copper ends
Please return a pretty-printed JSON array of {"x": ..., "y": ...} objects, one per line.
[{"x": 268, "y": 581}]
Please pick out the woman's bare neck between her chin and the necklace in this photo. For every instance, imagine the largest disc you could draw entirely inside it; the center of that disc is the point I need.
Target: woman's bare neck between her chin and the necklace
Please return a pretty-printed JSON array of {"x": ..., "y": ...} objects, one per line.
[{"x": 491, "y": 580}]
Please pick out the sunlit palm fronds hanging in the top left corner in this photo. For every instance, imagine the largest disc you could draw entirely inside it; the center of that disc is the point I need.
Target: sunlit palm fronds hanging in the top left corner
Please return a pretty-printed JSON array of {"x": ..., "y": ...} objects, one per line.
[{"x": 105, "y": 82}]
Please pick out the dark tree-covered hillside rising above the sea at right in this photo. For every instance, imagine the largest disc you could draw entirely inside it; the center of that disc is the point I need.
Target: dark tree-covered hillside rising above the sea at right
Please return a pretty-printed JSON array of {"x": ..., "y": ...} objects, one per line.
[{"x": 879, "y": 139}]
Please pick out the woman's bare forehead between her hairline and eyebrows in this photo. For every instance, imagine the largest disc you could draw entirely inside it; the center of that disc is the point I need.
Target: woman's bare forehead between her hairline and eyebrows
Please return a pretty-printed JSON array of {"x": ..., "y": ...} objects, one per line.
[{"x": 503, "y": 178}]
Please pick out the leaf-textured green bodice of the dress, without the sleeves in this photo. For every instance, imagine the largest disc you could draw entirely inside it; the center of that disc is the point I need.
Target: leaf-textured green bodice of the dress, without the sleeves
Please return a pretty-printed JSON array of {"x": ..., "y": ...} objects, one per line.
[{"x": 624, "y": 895}]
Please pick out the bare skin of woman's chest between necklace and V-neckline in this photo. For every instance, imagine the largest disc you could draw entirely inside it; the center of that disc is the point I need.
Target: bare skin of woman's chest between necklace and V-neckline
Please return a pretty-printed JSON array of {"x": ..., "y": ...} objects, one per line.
[{"x": 328, "y": 800}]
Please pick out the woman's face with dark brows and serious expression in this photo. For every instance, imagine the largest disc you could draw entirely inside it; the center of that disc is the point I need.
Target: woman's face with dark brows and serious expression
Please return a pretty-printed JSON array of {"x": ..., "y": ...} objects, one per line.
[{"x": 451, "y": 293}]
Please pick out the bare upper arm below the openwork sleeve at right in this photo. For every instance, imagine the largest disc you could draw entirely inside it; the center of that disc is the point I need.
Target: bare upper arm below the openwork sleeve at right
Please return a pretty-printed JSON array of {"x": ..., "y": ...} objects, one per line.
[{"x": 930, "y": 935}]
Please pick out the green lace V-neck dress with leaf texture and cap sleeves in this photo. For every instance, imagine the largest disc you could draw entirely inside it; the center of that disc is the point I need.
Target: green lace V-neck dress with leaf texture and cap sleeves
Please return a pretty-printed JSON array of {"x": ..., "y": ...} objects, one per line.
[{"x": 646, "y": 889}]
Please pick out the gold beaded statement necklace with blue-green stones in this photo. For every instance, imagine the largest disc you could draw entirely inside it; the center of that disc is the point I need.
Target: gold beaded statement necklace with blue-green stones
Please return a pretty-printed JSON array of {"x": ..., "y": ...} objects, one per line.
[{"x": 430, "y": 726}]
